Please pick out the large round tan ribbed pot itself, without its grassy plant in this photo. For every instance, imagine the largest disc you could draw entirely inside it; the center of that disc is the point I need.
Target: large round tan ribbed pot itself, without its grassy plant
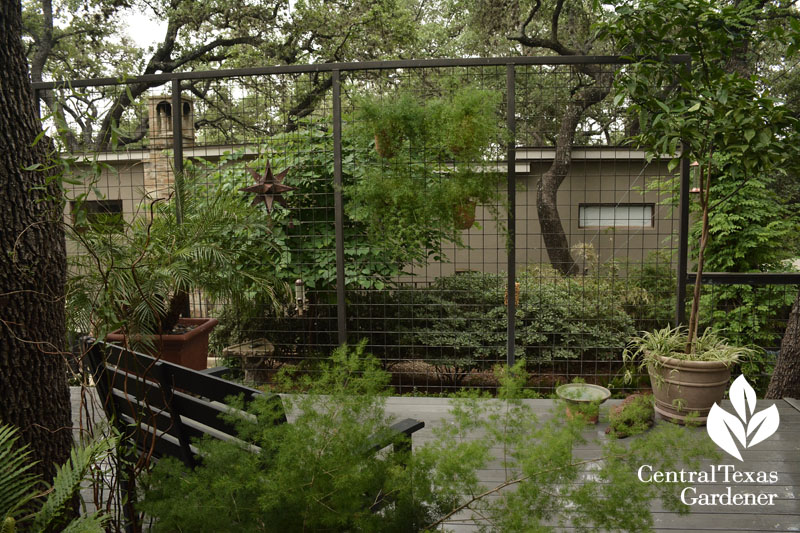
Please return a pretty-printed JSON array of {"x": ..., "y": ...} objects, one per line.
[{"x": 683, "y": 387}]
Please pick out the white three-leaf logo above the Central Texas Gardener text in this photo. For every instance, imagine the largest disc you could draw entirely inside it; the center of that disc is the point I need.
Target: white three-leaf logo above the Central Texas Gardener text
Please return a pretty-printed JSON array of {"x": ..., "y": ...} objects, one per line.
[{"x": 725, "y": 429}]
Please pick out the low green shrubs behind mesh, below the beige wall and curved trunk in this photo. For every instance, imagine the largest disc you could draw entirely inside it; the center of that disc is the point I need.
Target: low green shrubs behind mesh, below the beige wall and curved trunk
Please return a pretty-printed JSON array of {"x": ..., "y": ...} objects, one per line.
[{"x": 459, "y": 323}]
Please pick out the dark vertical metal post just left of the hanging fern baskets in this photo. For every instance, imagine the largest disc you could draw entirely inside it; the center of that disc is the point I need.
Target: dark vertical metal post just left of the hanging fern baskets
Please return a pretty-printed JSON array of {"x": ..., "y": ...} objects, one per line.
[{"x": 338, "y": 208}]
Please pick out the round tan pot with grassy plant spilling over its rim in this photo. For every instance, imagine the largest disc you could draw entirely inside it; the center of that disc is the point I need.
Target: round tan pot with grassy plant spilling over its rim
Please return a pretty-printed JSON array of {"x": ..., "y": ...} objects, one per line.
[{"x": 685, "y": 383}]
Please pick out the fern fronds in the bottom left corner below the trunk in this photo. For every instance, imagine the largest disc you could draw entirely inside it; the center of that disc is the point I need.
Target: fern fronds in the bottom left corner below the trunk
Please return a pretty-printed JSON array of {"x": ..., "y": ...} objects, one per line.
[{"x": 53, "y": 507}]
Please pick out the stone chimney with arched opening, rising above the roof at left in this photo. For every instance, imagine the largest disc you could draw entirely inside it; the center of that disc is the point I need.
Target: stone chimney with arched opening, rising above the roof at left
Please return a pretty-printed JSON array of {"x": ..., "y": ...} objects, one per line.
[{"x": 158, "y": 172}]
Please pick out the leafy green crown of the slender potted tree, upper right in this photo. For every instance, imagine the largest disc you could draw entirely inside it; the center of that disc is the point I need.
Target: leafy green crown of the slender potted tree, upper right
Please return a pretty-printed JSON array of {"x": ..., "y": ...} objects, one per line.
[{"x": 724, "y": 118}]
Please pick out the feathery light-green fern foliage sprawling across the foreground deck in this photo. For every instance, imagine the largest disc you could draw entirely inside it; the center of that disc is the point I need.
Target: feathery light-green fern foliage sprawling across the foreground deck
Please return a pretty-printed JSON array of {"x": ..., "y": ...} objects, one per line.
[{"x": 313, "y": 474}]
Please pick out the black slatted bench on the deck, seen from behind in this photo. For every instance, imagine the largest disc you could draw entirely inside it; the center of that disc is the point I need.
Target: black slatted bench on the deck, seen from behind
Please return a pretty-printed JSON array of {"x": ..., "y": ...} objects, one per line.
[{"x": 162, "y": 407}]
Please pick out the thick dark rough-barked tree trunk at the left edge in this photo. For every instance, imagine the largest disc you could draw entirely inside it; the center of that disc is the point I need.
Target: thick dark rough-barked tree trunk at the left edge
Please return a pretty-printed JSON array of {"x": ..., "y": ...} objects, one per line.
[{"x": 33, "y": 378}]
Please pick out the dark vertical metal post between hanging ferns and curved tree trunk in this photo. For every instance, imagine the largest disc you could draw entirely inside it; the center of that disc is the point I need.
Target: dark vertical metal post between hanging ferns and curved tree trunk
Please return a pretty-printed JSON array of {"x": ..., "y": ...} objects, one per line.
[{"x": 511, "y": 248}]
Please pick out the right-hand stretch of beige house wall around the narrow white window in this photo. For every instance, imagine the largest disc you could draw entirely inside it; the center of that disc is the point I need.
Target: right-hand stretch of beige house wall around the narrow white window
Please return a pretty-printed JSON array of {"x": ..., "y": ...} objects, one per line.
[{"x": 613, "y": 179}]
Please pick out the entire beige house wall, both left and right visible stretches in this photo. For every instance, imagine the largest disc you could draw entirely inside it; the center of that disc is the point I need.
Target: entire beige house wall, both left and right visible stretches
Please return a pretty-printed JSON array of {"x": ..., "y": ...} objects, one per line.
[{"x": 598, "y": 176}]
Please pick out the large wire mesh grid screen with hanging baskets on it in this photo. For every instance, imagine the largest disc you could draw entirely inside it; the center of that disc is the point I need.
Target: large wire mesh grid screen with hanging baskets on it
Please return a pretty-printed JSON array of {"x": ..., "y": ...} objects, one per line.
[{"x": 425, "y": 247}]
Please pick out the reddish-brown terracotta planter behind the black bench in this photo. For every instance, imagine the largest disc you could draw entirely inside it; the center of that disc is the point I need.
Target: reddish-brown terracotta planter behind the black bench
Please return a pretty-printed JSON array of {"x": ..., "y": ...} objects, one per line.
[{"x": 189, "y": 349}]
